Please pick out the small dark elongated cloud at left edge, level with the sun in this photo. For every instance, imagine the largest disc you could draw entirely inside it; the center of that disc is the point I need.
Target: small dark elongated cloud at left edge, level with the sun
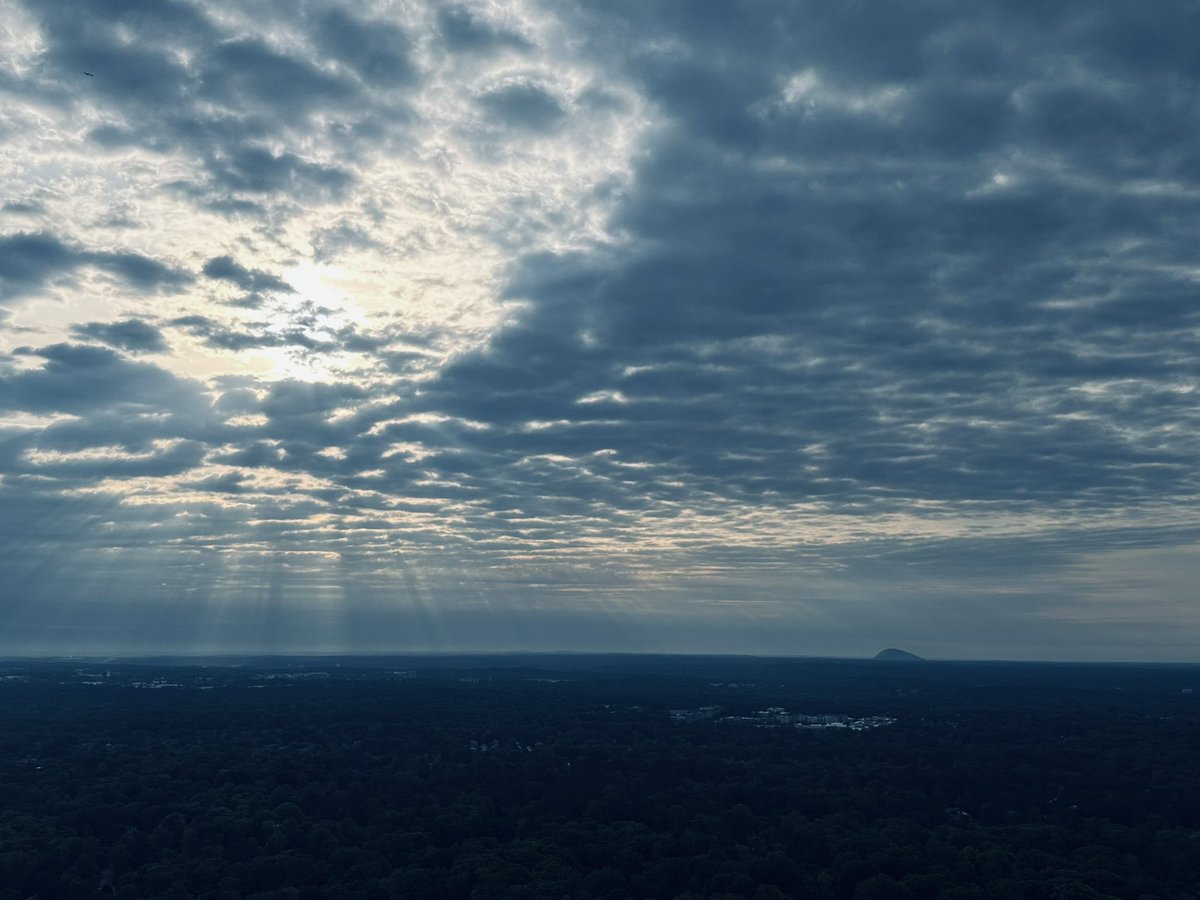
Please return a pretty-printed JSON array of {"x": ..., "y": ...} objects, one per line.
[{"x": 31, "y": 261}]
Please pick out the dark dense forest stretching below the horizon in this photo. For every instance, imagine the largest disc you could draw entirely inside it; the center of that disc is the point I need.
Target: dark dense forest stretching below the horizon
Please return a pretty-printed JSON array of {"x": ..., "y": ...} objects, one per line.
[{"x": 569, "y": 781}]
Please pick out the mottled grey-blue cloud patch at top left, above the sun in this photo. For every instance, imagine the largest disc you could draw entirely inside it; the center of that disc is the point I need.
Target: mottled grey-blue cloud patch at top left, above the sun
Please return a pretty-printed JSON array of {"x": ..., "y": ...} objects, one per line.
[{"x": 177, "y": 80}]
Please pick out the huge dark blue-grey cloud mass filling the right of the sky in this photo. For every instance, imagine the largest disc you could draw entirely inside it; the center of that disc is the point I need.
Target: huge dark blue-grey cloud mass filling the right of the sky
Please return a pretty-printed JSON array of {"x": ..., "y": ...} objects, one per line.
[{"x": 843, "y": 295}]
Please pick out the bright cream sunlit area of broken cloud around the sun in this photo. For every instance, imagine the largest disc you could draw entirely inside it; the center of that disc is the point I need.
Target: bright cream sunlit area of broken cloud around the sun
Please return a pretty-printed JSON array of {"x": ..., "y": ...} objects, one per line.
[{"x": 275, "y": 268}]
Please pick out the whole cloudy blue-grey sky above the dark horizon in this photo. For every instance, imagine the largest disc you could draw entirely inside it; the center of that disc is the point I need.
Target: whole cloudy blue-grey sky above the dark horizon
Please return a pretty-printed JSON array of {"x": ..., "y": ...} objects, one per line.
[{"x": 772, "y": 327}]
